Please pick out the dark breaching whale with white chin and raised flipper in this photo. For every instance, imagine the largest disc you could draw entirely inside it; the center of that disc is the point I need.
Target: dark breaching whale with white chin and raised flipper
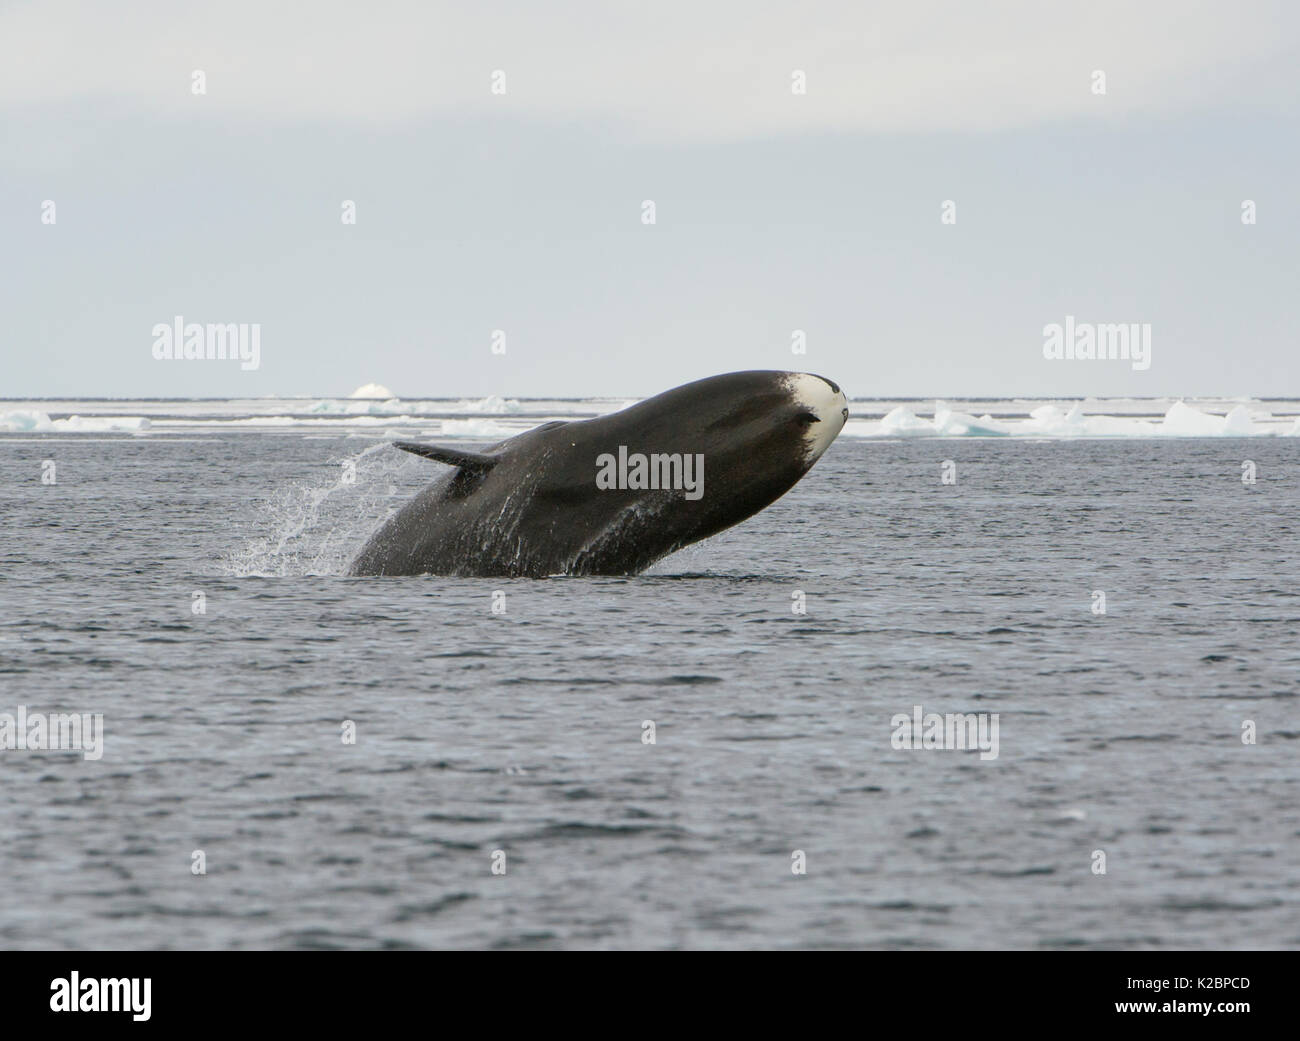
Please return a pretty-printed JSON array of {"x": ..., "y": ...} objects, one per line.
[{"x": 614, "y": 495}]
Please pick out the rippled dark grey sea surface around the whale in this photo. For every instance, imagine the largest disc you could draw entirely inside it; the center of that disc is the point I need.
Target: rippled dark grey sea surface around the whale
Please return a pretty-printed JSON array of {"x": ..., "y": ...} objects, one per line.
[{"x": 523, "y": 732}]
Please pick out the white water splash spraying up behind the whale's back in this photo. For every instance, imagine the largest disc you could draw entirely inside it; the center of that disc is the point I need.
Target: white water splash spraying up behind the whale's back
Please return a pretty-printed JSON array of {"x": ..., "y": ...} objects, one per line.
[{"x": 317, "y": 530}]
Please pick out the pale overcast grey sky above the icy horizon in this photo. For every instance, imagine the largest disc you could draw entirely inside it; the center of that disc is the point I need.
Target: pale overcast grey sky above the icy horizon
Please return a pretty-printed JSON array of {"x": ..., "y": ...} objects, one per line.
[{"x": 774, "y": 211}]
